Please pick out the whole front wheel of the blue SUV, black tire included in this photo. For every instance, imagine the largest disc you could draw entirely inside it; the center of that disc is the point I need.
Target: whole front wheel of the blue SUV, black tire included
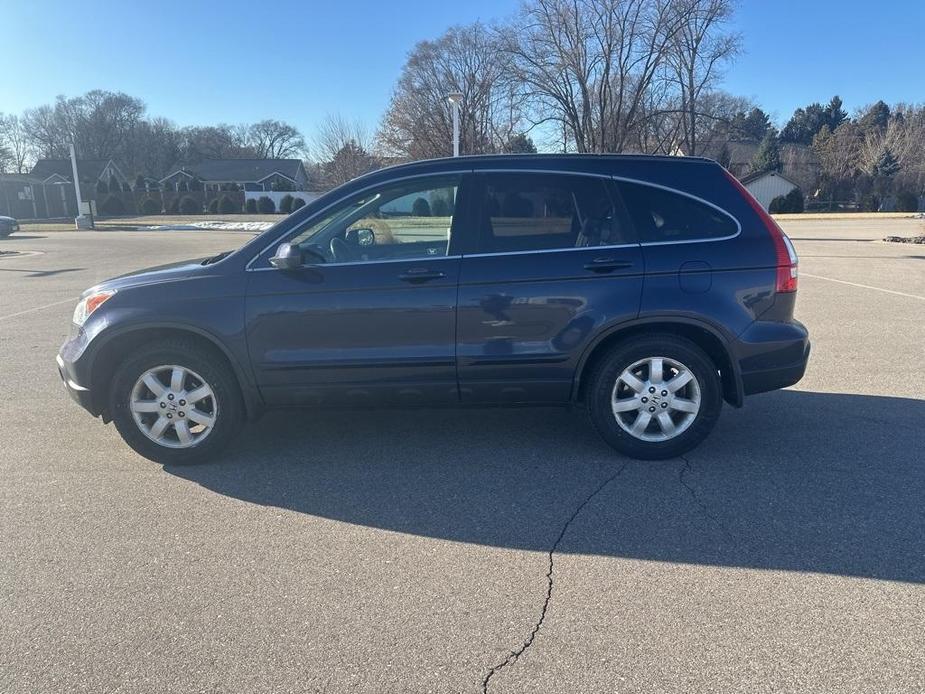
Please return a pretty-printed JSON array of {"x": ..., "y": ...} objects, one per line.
[{"x": 130, "y": 393}]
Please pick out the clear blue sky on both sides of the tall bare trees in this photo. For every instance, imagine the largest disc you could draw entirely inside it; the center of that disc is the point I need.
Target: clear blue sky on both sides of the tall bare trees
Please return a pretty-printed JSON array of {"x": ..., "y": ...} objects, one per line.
[{"x": 199, "y": 62}]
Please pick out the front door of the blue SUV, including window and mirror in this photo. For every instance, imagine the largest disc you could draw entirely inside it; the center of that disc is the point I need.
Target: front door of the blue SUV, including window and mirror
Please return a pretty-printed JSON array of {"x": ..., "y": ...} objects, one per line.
[{"x": 370, "y": 318}]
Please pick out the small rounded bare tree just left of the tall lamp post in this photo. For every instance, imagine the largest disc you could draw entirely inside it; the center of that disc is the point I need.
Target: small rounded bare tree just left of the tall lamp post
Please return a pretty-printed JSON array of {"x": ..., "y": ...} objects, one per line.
[{"x": 343, "y": 149}]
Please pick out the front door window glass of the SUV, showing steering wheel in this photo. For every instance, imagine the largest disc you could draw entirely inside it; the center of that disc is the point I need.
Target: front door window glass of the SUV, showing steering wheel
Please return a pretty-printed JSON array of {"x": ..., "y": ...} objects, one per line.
[{"x": 405, "y": 220}]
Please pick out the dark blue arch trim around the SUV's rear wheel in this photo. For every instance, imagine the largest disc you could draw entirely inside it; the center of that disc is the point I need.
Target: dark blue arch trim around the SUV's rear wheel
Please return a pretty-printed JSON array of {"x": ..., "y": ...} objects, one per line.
[{"x": 709, "y": 338}]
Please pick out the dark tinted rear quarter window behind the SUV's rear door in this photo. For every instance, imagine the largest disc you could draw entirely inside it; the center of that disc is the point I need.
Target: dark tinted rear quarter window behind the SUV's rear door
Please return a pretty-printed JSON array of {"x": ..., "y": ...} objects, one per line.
[{"x": 661, "y": 215}]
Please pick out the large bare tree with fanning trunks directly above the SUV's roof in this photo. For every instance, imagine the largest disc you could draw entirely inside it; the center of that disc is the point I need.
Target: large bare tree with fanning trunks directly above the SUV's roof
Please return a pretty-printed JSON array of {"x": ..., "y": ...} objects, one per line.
[{"x": 589, "y": 65}]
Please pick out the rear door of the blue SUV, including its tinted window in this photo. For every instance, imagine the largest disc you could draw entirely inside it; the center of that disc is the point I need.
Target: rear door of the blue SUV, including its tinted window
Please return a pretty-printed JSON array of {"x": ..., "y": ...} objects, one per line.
[{"x": 553, "y": 259}]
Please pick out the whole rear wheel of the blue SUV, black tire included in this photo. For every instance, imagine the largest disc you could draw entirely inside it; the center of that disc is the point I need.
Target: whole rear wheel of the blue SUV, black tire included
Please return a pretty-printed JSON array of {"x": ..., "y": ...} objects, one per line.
[{"x": 616, "y": 407}]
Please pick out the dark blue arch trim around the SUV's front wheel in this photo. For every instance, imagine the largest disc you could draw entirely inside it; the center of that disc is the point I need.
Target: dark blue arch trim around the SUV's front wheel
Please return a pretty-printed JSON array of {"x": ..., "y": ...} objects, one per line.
[{"x": 111, "y": 353}]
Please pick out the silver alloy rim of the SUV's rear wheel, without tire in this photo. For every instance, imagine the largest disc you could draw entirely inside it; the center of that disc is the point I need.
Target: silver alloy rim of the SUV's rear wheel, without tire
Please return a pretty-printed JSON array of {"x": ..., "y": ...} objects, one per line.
[{"x": 656, "y": 399}]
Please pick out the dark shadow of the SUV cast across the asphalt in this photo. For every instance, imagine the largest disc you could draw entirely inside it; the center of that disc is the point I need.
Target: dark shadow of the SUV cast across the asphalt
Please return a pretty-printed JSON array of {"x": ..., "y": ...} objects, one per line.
[{"x": 834, "y": 486}]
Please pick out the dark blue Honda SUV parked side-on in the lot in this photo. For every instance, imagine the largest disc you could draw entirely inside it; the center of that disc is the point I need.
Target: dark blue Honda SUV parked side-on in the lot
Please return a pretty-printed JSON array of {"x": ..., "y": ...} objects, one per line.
[{"x": 650, "y": 289}]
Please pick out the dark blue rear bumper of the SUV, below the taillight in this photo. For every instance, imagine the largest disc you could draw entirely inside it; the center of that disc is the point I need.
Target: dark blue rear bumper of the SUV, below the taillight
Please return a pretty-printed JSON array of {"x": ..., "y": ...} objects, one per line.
[{"x": 772, "y": 355}]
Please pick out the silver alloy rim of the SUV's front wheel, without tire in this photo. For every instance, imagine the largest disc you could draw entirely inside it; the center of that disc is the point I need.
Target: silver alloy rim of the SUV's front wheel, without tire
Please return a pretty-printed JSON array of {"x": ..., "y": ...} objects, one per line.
[{"x": 173, "y": 406}]
